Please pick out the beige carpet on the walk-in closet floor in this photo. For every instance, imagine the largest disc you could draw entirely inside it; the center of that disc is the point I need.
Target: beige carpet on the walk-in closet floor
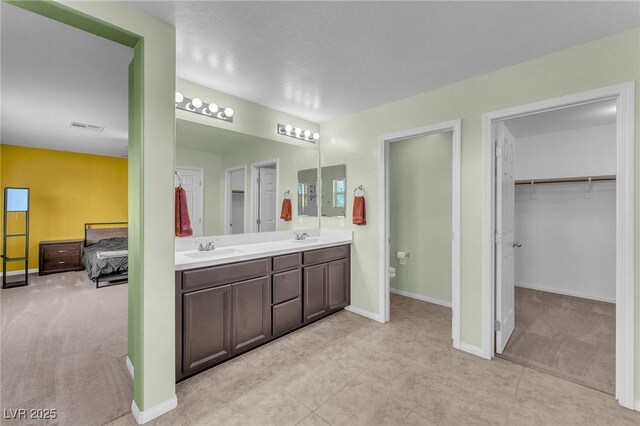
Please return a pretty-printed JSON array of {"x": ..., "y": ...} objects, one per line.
[{"x": 569, "y": 337}]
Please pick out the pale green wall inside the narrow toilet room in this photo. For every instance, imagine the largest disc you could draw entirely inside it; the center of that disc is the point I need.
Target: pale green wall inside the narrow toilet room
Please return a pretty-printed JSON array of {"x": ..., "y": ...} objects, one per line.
[{"x": 420, "y": 214}]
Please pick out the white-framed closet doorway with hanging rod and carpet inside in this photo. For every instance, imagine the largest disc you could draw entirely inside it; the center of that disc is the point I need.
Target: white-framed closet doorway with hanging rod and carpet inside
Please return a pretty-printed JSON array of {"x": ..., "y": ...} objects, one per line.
[{"x": 562, "y": 242}]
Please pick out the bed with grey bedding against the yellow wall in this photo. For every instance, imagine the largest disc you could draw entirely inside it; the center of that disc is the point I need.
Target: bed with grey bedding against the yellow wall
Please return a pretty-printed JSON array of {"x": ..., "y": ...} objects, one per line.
[{"x": 105, "y": 255}]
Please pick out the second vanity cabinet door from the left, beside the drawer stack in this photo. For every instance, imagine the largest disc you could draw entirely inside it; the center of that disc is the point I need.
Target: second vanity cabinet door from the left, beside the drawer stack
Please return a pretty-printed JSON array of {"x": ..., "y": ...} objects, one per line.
[{"x": 251, "y": 314}]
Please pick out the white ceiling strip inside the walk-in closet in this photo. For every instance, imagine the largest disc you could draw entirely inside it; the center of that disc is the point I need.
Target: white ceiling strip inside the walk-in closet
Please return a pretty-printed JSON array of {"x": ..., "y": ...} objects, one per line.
[{"x": 577, "y": 117}]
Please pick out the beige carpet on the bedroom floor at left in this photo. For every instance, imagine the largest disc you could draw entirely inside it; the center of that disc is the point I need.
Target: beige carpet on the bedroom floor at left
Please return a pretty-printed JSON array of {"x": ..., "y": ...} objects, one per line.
[{"x": 64, "y": 344}]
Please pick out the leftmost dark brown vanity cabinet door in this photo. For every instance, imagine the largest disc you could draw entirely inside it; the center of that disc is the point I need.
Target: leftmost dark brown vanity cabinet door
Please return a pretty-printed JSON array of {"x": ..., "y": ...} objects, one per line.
[{"x": 207, "y": 327}]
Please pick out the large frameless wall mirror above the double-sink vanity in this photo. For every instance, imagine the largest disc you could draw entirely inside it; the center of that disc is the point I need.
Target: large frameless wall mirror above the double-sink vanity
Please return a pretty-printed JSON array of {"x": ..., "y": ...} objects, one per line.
[{"x": 236, "y": 183}]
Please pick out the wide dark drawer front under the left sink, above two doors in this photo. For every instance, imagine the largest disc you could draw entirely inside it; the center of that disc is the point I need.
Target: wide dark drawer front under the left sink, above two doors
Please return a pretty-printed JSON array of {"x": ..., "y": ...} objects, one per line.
[{"x": 224, "y": 274}]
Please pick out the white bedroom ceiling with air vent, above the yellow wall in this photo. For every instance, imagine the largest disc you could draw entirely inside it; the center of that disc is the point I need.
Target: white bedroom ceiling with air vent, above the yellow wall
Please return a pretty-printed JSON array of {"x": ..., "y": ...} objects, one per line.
[{"x": 52, "y": 74}]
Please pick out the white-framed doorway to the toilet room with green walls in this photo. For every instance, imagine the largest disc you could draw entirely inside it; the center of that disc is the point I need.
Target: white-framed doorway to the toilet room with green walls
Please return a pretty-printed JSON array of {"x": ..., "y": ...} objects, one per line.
[{"x": 403, "y": 221}]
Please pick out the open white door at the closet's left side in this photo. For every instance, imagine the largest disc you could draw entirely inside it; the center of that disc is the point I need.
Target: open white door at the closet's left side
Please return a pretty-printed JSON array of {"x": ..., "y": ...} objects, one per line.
[{"x": 505, "y": 237}]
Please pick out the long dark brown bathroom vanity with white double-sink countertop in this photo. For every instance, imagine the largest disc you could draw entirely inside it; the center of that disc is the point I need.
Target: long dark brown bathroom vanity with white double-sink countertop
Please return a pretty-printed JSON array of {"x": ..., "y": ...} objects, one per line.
[{"x": 236, "y": 298}]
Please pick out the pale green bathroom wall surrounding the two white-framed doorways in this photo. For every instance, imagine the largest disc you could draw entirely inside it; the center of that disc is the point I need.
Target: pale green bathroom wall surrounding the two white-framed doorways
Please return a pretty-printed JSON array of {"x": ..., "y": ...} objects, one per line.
[{"x": 354, "y": 141}]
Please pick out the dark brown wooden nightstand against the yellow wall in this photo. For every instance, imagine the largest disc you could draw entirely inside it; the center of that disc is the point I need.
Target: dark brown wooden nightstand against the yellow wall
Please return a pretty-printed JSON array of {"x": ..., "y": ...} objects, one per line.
[{"x": 60, "y": 256}]
